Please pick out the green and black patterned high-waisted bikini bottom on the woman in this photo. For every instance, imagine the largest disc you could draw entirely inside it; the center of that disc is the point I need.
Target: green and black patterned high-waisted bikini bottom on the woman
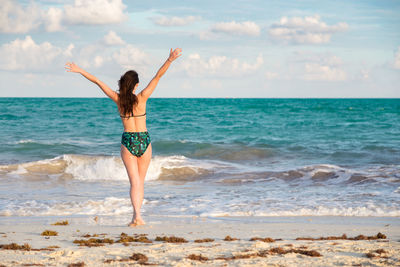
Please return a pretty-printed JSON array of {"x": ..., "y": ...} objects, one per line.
[{"x": 136, "y": 142}]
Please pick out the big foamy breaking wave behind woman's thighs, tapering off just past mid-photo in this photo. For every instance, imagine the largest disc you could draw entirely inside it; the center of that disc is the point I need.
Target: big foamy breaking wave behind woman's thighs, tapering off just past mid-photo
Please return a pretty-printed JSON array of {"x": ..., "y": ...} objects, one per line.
[{"x": 93, "y": 168}]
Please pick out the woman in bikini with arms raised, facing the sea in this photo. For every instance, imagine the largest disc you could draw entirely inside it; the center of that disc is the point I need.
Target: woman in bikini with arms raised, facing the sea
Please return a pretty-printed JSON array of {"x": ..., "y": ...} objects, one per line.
[{"x": 135, "y": 144}]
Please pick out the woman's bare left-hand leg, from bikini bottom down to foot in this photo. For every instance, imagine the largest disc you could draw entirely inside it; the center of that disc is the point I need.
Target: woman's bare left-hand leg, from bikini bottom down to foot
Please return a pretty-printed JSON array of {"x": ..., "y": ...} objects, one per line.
[{"x": 137, "y": 185}]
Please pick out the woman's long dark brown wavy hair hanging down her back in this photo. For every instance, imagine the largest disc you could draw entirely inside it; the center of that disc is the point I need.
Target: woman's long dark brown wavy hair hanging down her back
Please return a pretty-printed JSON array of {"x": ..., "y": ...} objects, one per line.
[{"x": 127, "y": 99}]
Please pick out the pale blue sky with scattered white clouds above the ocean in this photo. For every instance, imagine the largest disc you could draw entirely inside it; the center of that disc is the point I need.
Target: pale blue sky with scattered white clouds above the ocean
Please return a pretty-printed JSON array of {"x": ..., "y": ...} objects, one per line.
[{"x": 247, "y": 48}]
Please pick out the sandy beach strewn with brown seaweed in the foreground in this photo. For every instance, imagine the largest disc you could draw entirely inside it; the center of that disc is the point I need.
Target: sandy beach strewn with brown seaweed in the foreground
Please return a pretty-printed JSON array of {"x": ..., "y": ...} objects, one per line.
[{"x": 264, "y": 241}]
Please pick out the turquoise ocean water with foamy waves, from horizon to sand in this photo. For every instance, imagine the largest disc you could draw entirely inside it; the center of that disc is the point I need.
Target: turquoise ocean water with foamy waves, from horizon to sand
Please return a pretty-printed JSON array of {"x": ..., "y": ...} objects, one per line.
[{"x": 211, "y": 157}]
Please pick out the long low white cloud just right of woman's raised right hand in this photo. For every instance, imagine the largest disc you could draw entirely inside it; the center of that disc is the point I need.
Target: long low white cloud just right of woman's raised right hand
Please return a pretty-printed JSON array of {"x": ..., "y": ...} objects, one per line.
[{"x": 195, "y": 65}]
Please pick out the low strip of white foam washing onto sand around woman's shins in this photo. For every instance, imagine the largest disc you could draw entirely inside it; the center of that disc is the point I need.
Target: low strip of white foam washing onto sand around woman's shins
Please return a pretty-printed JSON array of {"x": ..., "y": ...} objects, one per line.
[{"x": 111, "y": 206}]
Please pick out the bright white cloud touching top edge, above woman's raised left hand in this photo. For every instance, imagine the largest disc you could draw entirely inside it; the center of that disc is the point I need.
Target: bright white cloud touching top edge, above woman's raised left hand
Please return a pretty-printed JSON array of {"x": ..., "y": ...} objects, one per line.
[{"x": 95, "y": 12}]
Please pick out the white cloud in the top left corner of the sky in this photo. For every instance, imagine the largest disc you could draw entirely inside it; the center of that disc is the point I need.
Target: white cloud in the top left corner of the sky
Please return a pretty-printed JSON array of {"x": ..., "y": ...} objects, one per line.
[{"x": 15, "y": 18}]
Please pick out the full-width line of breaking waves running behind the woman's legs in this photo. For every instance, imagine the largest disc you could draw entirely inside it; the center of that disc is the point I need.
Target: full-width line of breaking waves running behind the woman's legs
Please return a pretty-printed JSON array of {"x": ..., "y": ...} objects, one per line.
[{"x": 181, "y": 168}]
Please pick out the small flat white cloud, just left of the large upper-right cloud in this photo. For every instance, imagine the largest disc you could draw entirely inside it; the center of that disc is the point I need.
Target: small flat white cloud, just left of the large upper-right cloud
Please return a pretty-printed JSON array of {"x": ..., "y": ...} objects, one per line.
[{"x": 237, "y": 28}]
